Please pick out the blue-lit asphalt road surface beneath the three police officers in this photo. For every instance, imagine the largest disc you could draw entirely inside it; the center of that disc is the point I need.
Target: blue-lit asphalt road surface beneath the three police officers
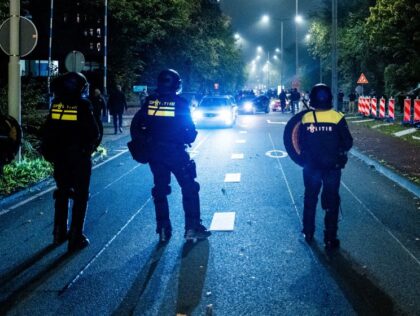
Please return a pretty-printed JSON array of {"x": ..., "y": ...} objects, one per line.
[{"x": 263, "y": 267}]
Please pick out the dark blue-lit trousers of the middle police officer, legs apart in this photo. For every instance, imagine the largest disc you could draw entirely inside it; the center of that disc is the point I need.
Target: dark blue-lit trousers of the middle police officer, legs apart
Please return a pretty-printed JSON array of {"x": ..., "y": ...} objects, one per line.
[{"x": 176, "y": 161}]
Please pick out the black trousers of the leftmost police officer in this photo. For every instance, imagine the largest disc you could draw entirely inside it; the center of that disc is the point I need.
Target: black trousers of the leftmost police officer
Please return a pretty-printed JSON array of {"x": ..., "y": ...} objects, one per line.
[{"x": 72, "y": 177}]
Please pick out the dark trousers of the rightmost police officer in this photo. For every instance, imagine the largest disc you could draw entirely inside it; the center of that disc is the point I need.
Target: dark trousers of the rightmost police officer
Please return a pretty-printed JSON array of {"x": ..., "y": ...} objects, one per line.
[{"x": 329, "y": 180}]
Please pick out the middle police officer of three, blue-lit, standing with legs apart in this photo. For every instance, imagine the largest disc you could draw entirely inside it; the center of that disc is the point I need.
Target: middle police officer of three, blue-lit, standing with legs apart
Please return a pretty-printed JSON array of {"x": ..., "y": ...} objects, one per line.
[{"x": 165, "y": 123}]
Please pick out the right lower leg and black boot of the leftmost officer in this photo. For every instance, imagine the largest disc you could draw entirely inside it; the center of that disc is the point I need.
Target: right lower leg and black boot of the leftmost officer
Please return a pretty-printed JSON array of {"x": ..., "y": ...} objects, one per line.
[{"x": 77, "y": 240}]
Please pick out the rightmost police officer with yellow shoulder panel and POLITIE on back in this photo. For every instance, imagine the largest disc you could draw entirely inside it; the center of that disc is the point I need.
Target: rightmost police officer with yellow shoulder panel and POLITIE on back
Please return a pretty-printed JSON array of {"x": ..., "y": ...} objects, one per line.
[{"x": 325, "y": 140}]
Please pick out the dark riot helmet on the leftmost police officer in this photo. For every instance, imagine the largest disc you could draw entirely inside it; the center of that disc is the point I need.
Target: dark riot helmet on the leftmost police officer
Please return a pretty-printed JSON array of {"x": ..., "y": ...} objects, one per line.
[{"x": 70, "y": 85}]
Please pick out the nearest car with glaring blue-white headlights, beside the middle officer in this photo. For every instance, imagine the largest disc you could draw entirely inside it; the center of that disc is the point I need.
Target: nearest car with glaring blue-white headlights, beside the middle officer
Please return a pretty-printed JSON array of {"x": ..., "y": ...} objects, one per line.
[{"x": 216, "y": 111}]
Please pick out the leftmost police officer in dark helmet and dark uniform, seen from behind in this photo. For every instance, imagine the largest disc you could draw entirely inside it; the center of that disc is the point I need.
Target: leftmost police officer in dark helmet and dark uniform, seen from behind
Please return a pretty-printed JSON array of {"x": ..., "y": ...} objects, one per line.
[{"x": 69, "y": 136}]
